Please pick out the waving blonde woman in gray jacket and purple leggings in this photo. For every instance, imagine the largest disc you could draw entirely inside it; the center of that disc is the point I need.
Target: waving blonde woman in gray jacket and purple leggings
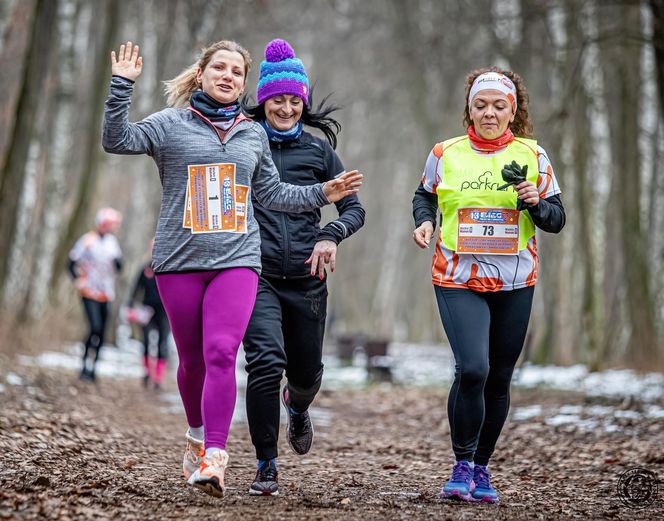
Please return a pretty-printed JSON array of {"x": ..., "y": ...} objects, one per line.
[{"x": 206, "y": 257}]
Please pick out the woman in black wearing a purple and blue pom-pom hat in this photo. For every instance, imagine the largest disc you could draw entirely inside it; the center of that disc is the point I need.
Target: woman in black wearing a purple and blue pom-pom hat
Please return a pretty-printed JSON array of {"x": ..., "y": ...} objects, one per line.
[{"x": 285, "y": 332}]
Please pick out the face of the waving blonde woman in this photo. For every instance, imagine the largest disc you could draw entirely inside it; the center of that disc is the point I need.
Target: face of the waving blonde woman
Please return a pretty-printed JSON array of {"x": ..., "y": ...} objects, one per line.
[{"x": 224, "y": 76}]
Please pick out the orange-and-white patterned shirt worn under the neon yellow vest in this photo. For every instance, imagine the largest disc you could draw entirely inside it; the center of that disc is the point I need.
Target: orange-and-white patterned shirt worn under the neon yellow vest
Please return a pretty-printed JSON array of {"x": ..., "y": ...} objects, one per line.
[{"x": 486, "y": 272}]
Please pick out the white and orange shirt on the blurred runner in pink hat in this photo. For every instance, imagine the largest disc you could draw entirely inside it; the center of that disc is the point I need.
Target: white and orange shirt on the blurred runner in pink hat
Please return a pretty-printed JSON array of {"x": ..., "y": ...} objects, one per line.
[{"x": 95, "y": 257}]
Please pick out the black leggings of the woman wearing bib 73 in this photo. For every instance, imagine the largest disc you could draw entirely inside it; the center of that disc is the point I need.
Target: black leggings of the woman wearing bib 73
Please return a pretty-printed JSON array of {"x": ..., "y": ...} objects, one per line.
[{"x": 486, "y": 332}]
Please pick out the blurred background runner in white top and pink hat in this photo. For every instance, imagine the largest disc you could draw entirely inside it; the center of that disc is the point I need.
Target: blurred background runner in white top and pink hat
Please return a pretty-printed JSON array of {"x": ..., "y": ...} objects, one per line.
[{"x": 93, "y": 262}]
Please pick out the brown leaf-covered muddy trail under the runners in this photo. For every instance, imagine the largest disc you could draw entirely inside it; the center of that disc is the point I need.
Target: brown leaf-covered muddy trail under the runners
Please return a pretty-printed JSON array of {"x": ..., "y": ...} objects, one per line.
[{"x": 112, "y": 450}]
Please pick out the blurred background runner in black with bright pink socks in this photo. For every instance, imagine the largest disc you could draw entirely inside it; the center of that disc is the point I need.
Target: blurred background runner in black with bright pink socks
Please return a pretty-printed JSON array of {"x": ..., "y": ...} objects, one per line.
[{"x": 151, "y": 316}]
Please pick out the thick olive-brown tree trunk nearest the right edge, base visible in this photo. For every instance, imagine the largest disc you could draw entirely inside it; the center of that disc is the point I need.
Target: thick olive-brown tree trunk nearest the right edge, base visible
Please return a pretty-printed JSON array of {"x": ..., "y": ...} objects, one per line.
[{"x": 623, "y": 80}]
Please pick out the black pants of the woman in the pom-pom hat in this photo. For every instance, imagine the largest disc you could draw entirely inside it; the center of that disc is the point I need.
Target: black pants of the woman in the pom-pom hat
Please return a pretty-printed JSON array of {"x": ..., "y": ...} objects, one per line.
[{"x": 285, "y": 333}]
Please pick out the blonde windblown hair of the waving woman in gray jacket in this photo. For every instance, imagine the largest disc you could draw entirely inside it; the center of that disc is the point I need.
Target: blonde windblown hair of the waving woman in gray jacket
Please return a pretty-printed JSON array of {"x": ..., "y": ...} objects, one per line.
[{"x": 179, "y": 89}]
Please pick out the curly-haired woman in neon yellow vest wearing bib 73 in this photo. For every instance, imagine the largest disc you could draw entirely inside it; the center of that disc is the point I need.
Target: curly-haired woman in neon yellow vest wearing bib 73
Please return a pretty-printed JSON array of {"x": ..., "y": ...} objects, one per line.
[{"x": 485, "y": 261}]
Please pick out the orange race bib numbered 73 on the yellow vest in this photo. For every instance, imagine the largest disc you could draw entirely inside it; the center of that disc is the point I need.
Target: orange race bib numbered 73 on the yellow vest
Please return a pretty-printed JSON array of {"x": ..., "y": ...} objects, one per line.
[{"x": 488, "y": 231}]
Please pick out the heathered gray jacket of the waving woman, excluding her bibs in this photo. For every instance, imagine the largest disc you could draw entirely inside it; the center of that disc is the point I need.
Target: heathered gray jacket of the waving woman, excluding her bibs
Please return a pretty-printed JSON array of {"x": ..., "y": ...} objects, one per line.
[{"x": 177, "y": 138}]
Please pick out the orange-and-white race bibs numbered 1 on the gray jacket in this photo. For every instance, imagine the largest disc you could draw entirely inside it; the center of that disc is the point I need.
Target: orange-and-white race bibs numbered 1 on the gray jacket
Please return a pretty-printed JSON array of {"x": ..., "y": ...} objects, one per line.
[{"x": 213, "y": 202}]
